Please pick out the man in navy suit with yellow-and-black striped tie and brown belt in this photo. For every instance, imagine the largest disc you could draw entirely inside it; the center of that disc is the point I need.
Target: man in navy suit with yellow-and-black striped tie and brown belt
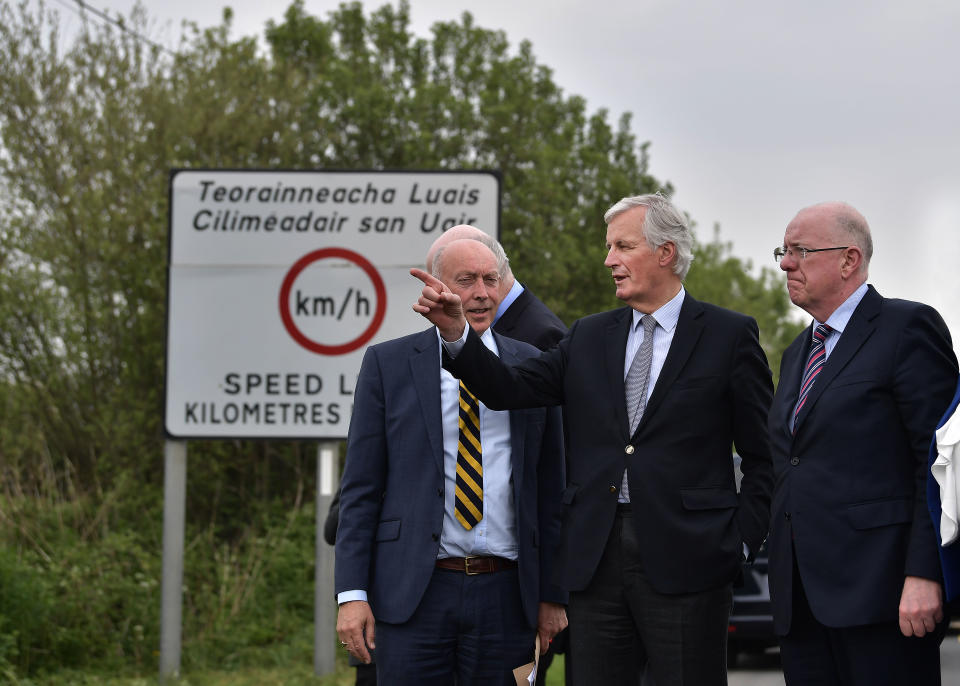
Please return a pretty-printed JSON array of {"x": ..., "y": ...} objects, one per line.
[{"x": 442, "y": 600}]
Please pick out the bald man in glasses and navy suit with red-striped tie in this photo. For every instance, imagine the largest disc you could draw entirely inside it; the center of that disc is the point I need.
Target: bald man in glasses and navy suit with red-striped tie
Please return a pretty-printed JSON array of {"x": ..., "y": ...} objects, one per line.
[{"x": 854, "y": 571}]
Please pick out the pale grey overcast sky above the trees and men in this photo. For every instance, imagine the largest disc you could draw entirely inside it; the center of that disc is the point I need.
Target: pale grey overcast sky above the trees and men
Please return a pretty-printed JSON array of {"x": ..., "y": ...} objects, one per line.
[{"x": 753, "y": 108}]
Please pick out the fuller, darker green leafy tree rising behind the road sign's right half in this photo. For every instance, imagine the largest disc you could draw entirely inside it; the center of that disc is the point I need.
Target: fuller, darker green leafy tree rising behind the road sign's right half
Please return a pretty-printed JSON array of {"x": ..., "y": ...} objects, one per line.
[{"x": 465, "y": 100}]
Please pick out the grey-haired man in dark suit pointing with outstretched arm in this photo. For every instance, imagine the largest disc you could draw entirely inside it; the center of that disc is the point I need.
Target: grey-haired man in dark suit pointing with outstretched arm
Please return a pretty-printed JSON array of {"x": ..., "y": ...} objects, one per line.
[{"x": 654, "y": 529}]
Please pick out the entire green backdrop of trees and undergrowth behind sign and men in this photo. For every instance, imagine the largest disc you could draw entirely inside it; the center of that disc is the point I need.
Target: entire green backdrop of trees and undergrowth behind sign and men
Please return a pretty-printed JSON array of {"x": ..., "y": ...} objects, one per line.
[{"x": 90, "y": 125}]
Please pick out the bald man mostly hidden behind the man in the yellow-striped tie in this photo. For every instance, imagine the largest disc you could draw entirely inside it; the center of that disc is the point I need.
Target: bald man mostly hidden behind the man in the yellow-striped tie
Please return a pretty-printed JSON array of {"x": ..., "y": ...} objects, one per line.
[{"x": 520, "y": 314}]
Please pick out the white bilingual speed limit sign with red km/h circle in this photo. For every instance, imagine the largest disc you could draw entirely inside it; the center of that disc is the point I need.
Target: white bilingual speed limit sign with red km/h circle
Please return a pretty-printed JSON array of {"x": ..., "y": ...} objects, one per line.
[{"x": 278, "y": 280}]
